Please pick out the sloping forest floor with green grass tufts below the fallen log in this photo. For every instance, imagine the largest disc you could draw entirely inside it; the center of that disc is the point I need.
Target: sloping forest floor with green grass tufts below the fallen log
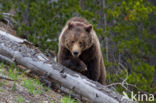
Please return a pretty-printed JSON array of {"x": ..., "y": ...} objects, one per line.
[{"x": 17, "y": 87}]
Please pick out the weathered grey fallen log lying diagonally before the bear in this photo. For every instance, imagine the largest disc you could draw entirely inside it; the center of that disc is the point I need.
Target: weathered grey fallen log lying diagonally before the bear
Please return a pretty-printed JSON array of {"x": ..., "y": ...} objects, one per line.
[{"x": 21, "y": 52}]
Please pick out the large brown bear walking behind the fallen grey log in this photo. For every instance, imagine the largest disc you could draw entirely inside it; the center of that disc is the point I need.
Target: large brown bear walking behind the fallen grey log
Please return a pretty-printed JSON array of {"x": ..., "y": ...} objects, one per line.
[{"x": 79, "y": 49}]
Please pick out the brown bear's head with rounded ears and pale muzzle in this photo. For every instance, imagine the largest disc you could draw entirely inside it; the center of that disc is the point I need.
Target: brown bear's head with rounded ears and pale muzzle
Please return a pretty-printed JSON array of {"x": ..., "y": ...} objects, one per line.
[{"x": 78, "y": 38}]
